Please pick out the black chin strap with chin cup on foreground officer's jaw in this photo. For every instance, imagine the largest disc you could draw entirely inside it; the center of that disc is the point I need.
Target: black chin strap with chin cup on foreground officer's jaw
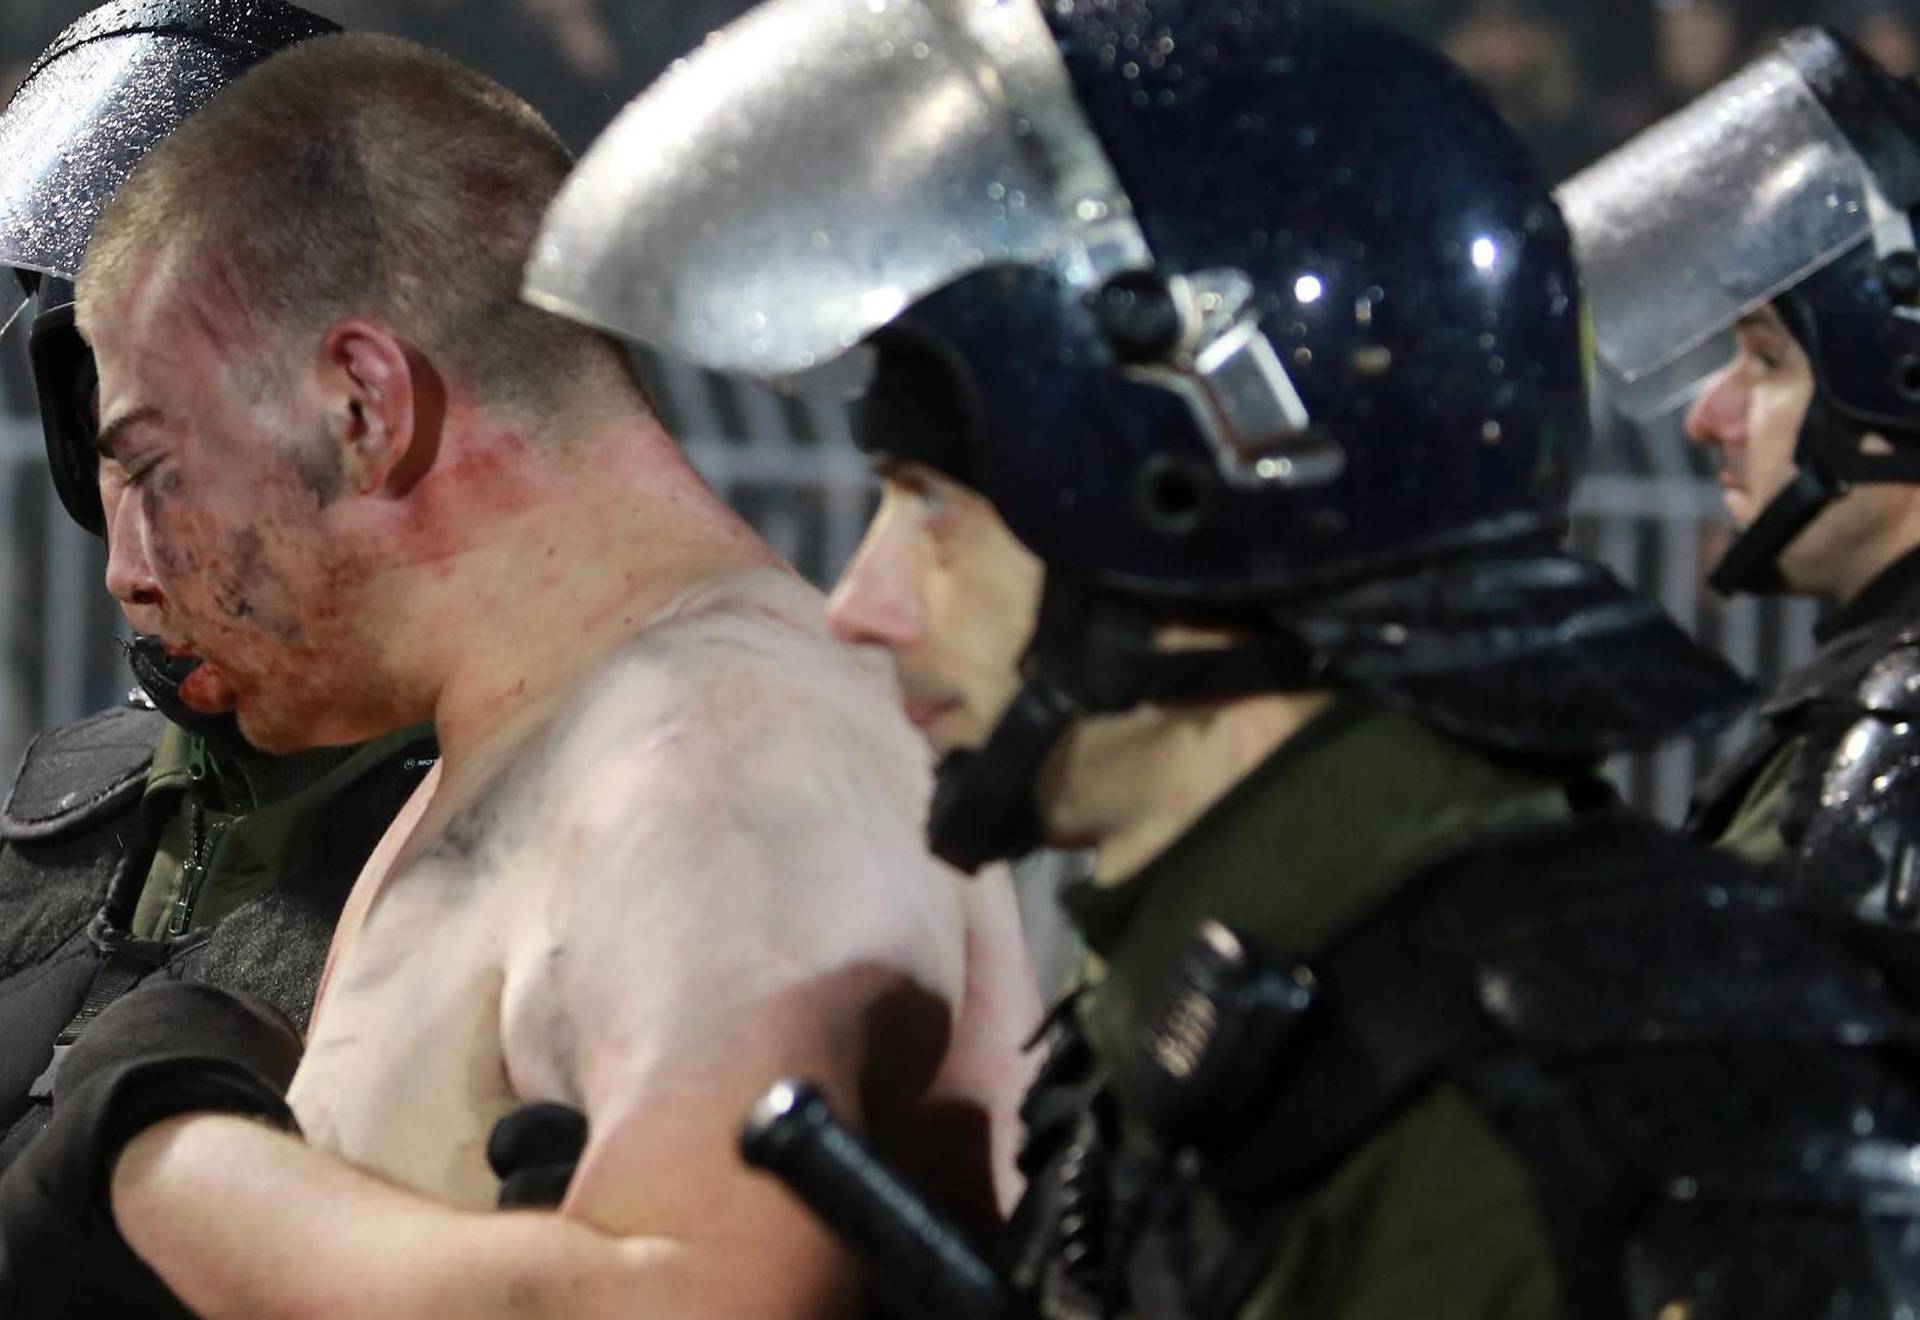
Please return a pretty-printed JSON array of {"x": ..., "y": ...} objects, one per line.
[{"x": 1092, "y": 653}]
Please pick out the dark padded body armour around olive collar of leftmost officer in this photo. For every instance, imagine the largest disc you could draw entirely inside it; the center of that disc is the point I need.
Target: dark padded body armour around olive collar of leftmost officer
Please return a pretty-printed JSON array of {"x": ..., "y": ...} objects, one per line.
[{"x": 78, "y": 851}]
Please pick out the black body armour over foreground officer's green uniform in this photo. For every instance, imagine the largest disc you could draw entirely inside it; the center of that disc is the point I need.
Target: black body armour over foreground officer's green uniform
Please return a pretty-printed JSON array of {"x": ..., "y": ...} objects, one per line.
[{"x": 1714, "y": 1095}]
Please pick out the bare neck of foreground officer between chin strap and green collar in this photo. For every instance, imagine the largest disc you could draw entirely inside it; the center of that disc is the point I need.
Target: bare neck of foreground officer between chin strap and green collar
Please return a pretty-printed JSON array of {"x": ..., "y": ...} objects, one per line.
[{"x": 1153, "y": 793}]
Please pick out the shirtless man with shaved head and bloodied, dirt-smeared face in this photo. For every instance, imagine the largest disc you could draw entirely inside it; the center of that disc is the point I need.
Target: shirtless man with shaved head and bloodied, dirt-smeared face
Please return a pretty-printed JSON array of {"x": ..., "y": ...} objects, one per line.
[{"x": 673, "y": 847}]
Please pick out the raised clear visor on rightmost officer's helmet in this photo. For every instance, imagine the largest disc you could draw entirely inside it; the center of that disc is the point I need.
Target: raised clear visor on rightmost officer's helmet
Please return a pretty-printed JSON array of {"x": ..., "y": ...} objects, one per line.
[{"x": 1704, "y": 218}]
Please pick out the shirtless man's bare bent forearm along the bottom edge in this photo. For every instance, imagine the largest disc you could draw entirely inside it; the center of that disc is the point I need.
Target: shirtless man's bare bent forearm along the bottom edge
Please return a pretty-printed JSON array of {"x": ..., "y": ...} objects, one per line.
[{"x": 249, "y": 1223}]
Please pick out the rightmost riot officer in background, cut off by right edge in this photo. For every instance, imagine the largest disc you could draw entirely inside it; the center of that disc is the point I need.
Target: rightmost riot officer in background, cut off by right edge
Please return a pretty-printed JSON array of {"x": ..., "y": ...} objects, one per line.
[{"x": 1754, "y": 260}]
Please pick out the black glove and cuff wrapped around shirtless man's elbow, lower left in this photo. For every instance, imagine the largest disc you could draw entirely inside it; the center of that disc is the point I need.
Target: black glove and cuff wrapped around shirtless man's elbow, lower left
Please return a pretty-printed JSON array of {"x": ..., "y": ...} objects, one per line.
[{"x": 164, "y": 1050}]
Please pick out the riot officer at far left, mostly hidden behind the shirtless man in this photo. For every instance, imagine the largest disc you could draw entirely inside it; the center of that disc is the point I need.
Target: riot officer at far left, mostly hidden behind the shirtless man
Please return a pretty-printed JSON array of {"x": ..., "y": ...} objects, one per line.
[{"x": 149, "y": 839}]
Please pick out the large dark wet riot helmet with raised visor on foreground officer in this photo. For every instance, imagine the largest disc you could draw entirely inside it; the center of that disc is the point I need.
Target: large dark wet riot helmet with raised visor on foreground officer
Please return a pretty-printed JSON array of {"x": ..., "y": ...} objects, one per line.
[{"x": 1236, "y": 310}]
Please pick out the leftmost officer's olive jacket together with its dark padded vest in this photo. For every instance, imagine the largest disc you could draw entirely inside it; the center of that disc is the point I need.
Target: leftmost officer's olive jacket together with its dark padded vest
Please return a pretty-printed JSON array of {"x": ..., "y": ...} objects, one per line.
[{"x": 128, "y": 849}]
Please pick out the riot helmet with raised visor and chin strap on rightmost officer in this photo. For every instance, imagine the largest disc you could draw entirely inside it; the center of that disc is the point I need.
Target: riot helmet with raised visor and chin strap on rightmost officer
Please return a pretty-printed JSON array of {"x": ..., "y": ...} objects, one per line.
[{"x": 1796, "y": 185}]
